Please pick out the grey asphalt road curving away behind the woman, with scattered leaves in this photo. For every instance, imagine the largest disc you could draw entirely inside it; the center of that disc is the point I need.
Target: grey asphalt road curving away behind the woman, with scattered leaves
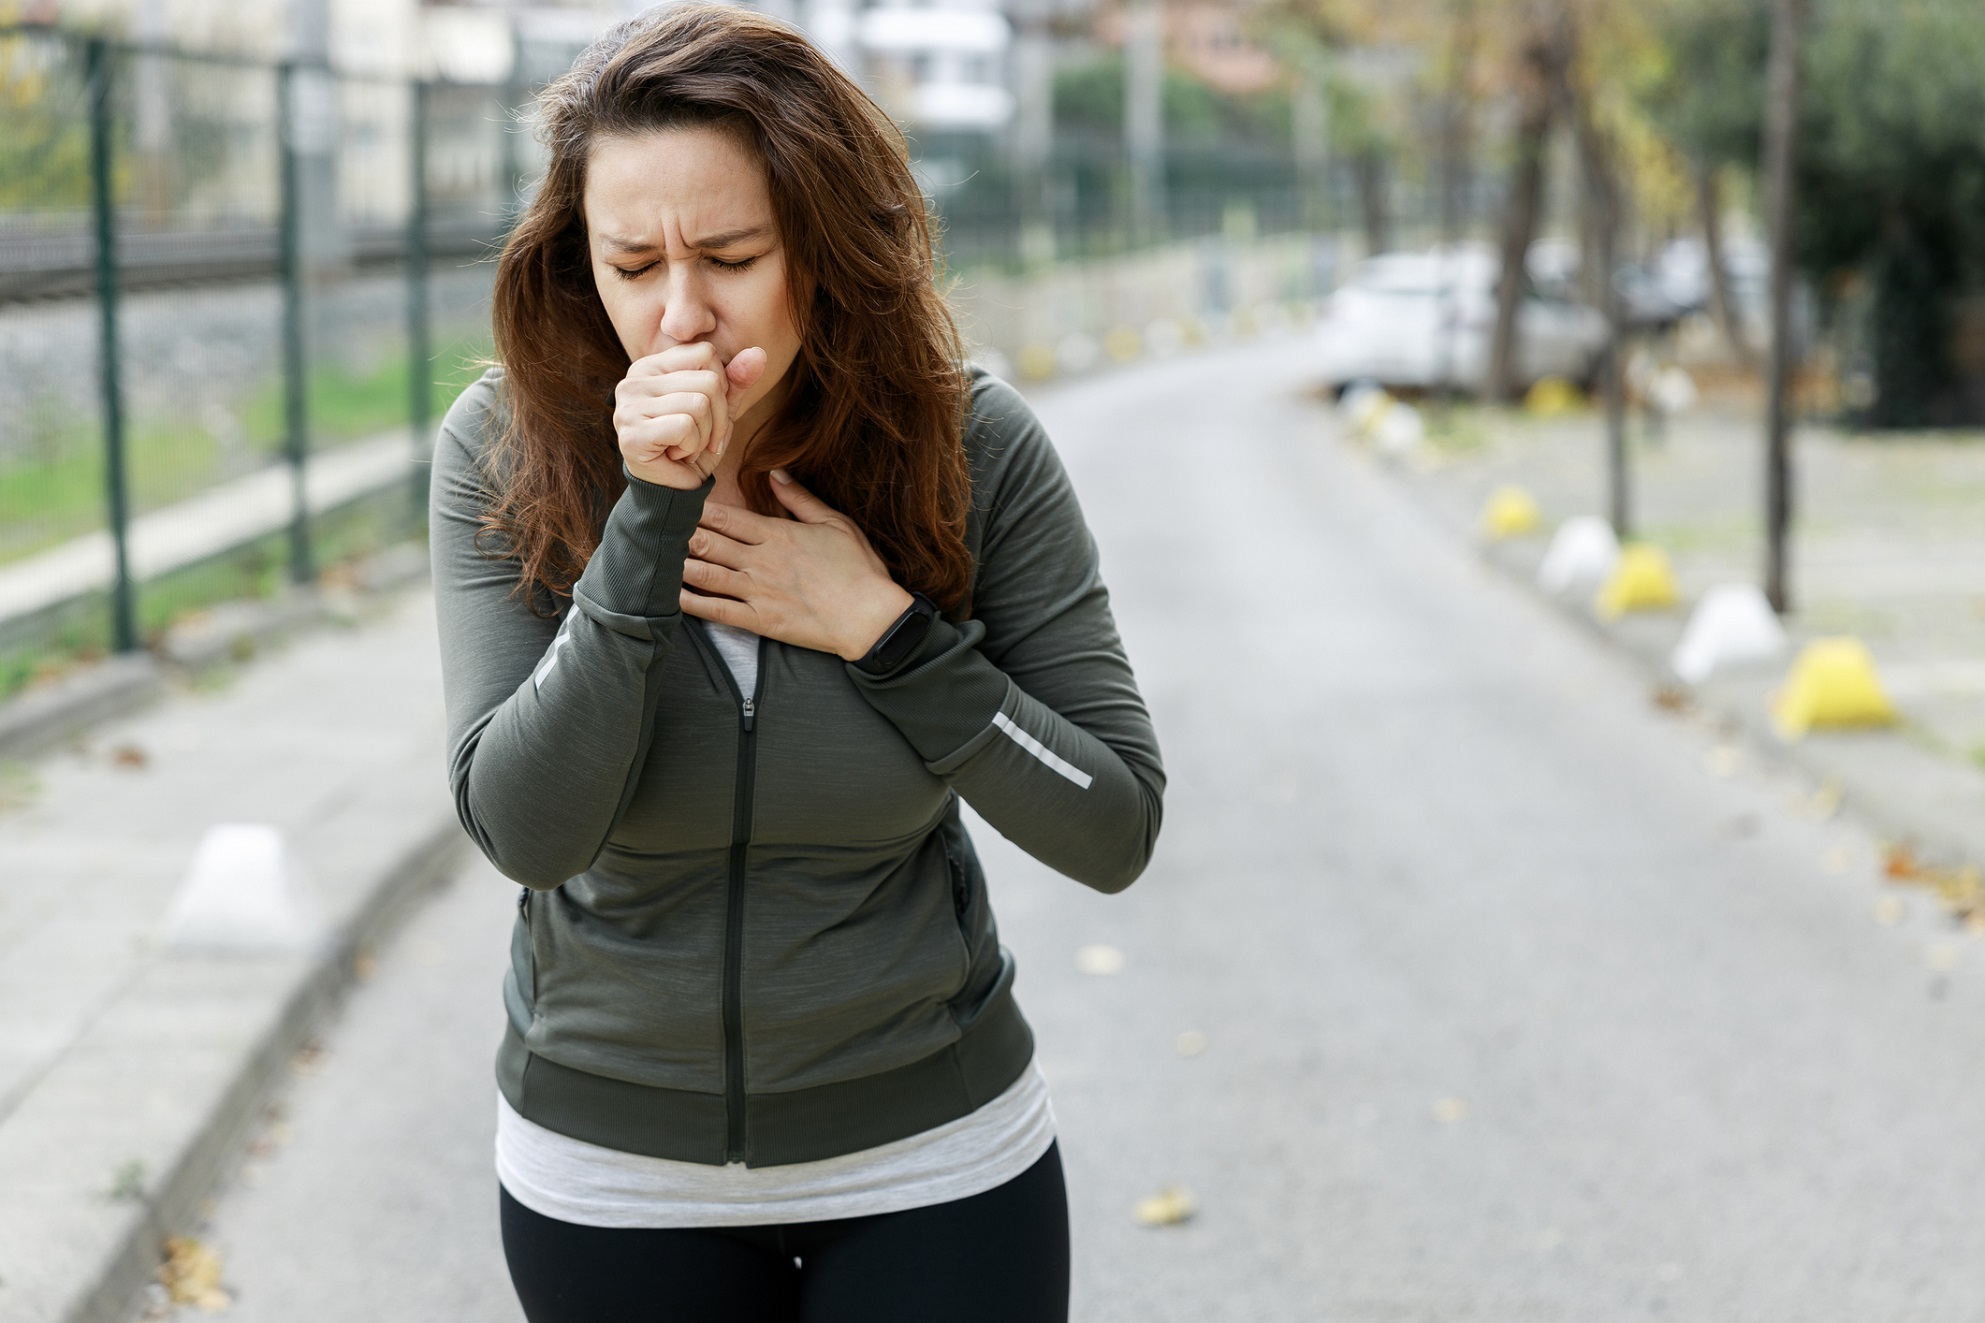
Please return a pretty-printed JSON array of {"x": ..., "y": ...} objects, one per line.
[{"x": 1520, "y": 998}]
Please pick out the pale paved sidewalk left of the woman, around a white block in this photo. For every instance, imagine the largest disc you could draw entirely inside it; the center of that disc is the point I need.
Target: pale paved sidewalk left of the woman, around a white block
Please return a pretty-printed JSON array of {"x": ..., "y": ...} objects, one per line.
[{"x": 128, "y": 1074}]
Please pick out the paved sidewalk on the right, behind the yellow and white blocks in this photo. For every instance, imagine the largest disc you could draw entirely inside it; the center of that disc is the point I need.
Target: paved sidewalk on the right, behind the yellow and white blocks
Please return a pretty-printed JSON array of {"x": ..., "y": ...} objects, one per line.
[{"x": 1889, "y": 547}]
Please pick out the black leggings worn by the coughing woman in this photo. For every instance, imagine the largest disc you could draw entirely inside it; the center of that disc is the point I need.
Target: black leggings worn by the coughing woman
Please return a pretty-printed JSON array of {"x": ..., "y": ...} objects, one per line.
[{"x": 993, "y": 1258}]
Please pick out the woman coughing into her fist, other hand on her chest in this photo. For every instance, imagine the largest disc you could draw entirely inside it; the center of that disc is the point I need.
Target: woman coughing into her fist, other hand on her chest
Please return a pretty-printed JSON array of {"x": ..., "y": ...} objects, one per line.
[{"x": 745, "y": 583}]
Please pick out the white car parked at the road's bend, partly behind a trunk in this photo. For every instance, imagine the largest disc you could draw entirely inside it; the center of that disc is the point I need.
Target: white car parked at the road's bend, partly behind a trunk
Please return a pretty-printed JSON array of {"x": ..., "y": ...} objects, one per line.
[{"x": 1422, "y": 321}]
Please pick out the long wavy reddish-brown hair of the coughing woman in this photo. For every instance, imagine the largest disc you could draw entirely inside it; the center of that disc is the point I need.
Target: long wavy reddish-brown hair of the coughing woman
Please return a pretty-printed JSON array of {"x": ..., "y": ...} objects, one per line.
[{"x": 876, "y": 402}]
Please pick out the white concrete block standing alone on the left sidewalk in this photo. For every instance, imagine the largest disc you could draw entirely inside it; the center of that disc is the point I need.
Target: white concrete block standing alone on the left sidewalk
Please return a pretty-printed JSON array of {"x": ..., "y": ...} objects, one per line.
[{"x": 243, "y": 895}]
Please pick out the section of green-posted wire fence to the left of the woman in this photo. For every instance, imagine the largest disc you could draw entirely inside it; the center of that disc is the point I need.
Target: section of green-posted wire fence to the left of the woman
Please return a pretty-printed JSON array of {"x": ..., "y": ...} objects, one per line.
[{"x": 233, "y": 299}]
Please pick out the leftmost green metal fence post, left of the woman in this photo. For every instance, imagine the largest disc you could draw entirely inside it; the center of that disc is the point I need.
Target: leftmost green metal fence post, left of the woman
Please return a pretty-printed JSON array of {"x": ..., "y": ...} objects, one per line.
[{"x": 116, "y": 488}]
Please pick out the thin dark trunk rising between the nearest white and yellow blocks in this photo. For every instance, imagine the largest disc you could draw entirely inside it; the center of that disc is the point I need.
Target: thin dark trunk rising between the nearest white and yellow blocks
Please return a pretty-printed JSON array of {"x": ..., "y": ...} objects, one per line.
[{"x": 1782, "y": 158}]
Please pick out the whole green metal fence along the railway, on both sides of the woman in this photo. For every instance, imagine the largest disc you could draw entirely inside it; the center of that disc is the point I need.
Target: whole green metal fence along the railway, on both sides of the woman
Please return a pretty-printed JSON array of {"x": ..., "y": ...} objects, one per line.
[{"x": 235, "y": 297}]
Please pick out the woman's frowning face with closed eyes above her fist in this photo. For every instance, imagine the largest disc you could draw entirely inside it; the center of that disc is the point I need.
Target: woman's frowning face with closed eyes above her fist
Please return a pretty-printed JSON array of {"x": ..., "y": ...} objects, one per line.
[{"x": 686, "y": 249}]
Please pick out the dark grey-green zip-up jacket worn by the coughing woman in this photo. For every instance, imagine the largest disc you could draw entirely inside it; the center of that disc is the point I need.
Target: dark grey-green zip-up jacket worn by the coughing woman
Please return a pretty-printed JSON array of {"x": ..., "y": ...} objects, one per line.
[{"x": 753, "y": 927}]
